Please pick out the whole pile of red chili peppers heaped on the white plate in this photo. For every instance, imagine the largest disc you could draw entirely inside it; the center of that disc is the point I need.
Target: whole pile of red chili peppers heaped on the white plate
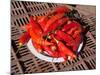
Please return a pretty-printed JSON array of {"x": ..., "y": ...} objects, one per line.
[{"x": 55, "y": 34}]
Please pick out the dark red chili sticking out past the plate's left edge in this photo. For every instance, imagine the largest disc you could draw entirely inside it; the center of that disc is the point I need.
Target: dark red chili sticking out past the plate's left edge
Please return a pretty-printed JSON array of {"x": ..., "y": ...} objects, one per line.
[{"x": 24, "y": 38}]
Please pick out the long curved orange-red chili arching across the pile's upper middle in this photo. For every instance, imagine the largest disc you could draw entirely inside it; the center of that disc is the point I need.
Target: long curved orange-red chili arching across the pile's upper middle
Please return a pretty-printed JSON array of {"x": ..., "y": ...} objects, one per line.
[{"x": 53, "y": 19}]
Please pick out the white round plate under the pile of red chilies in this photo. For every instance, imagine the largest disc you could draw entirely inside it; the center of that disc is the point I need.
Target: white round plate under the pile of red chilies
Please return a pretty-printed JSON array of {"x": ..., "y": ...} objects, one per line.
[{"x": 44, "y": 57}]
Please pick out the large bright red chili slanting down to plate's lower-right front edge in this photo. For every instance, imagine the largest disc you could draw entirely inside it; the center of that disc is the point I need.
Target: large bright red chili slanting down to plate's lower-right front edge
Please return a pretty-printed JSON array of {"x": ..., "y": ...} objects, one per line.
[{"x": 64, "y": 49}]
